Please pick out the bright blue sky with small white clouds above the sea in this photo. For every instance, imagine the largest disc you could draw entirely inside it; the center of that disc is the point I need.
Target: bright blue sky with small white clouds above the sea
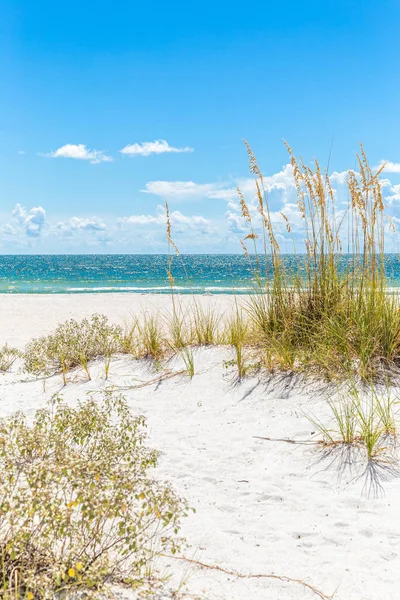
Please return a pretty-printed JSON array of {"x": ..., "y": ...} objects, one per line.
[{"x": 177, "y": 86}]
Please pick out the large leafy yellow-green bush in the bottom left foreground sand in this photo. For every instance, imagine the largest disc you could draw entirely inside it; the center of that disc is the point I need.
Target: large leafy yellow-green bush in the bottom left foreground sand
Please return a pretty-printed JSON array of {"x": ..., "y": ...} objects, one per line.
[{"x": 78, "y": 507}]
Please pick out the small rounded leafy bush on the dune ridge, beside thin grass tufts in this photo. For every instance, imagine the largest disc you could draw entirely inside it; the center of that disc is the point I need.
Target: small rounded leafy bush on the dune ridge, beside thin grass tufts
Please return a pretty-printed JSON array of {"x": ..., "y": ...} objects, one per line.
[{"x": 73, "y": 344}]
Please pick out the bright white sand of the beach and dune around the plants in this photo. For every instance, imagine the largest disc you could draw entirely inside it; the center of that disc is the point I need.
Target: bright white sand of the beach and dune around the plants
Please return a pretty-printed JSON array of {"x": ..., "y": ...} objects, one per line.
[{"x": 262, "y": 507}]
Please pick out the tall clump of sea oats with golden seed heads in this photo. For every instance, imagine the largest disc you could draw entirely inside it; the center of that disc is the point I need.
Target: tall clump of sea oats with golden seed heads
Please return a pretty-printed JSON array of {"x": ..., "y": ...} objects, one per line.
[{"x": 332, "y": 311}]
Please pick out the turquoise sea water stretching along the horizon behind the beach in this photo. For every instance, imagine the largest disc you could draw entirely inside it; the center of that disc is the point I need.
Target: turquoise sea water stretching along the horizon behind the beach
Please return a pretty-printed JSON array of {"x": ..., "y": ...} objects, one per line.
[{"x": 73, "y": 274}]
